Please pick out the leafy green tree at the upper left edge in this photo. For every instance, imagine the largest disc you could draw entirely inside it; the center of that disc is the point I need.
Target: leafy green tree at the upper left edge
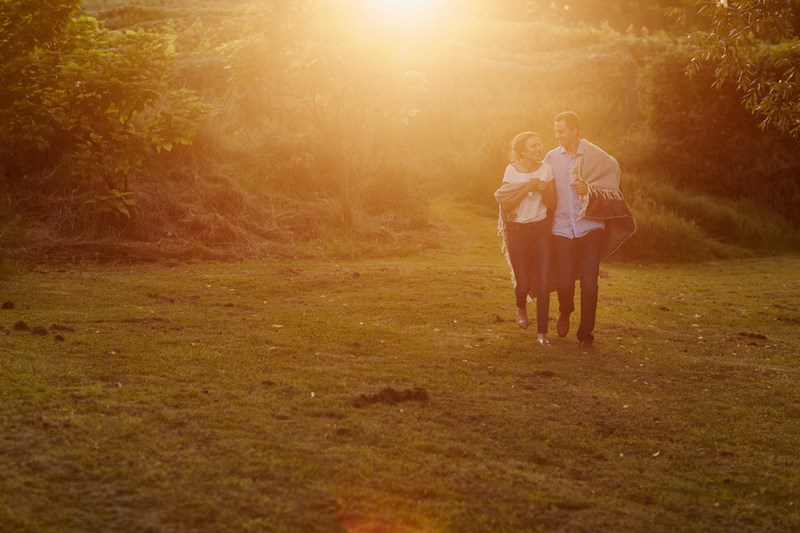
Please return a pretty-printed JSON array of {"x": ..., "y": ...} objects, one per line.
[{"x": 84, "y": 108}]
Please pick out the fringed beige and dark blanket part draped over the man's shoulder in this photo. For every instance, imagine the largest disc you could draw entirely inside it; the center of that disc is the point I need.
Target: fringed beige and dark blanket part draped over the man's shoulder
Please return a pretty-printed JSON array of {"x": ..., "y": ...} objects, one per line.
[{"x": 605, "y": 201}]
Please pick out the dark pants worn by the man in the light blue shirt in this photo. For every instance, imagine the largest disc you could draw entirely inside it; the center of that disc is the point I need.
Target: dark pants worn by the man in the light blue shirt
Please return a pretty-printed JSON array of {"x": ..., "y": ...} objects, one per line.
[{"x": 579, "y": 259}]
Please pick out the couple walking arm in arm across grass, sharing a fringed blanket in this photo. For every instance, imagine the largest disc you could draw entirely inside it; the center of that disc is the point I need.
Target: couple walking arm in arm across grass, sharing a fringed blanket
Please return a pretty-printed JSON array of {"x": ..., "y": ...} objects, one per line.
[{"x": 559, "y": 217}]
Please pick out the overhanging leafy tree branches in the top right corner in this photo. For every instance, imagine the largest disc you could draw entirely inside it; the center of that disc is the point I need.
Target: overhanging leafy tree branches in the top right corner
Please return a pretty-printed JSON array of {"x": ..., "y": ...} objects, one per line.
[{"x": 754, "y": 44}]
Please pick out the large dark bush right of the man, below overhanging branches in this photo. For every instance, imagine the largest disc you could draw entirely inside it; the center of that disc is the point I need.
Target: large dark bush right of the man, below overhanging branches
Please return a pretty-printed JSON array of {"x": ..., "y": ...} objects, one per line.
[{"x": 703, "y": 139}]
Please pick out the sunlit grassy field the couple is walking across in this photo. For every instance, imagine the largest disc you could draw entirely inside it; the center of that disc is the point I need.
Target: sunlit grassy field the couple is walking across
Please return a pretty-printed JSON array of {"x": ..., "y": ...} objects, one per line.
[{"x": 252, "y": 396}]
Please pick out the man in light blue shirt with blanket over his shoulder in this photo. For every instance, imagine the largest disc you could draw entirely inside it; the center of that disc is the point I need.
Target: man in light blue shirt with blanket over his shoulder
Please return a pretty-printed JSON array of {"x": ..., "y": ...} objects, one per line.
[{"x": 590, "y": 221}]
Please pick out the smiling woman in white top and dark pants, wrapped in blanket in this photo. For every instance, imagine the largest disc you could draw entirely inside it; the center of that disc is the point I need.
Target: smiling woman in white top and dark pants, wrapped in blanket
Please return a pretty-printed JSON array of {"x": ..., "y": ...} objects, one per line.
[{"x": 526, "y": 195}]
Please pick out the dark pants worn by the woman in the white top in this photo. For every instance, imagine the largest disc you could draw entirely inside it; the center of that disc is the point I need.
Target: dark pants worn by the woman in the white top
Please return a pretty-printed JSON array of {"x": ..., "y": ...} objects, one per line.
[{"x": 529, "y": 251}]
